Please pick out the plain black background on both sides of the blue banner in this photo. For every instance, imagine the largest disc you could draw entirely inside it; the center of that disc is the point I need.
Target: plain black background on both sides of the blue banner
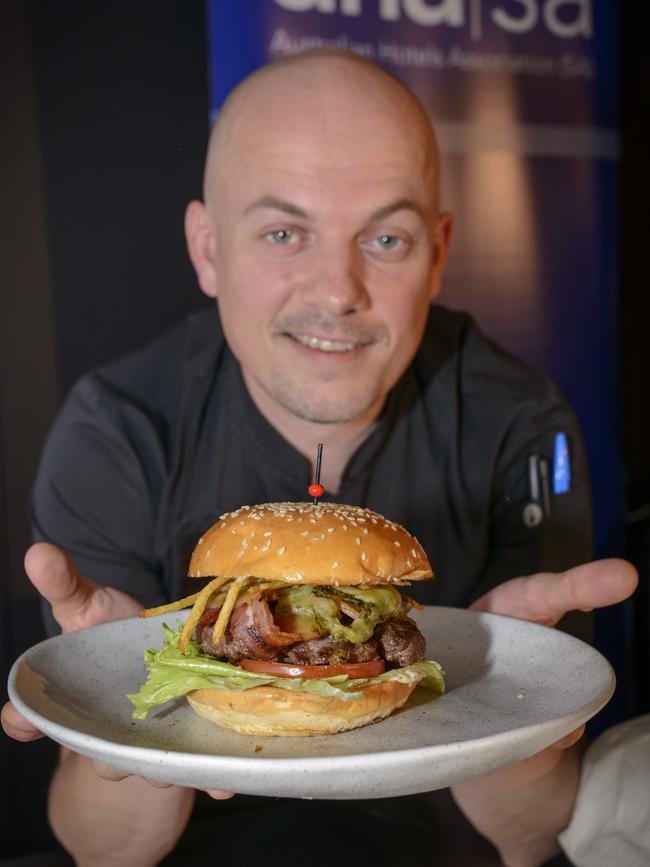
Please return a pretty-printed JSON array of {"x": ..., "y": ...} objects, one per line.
[{"x": 103, "y": 134}]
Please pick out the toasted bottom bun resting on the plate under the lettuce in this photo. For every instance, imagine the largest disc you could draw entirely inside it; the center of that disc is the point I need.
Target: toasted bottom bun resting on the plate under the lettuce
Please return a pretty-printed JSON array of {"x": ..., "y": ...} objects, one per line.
[{"x": 270, "y": 710}]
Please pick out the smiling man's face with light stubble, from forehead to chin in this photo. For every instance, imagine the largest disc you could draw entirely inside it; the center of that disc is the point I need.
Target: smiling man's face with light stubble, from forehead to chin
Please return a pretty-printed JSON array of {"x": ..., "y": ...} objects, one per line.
[{"x": 327, "y": 250}]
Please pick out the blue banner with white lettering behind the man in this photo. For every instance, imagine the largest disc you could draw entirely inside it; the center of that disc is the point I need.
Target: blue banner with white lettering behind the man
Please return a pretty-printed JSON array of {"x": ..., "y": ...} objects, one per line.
[{"x": 523, "y": 95}]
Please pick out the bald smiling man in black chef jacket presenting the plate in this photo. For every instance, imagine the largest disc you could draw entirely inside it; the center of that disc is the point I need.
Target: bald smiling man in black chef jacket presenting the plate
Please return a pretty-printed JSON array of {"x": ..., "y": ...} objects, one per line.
[{"x": 323, "y": 244}]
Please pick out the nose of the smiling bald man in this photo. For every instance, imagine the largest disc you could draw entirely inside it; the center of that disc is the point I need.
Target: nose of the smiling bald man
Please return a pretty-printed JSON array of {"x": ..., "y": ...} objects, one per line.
[{"x": 339, "y": 285}]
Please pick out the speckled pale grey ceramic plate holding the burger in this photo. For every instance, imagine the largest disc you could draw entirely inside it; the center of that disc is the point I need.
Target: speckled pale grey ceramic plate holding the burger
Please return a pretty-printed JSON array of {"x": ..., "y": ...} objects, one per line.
[{"x": 512, "y": 689}]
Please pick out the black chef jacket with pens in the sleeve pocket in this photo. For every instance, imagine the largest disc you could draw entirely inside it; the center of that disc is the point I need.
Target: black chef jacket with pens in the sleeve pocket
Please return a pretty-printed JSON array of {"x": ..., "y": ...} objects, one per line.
[{"x": 149, "y": 450}]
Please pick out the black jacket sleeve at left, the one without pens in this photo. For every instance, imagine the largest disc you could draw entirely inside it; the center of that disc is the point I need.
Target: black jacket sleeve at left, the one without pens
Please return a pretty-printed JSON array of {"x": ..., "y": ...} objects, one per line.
[{"x": 96, "y": 489}]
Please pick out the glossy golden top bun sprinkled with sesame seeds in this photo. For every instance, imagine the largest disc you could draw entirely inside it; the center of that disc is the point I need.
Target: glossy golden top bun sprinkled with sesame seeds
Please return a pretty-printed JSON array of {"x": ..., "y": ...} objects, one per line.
[{"x": 306, "y": 543}]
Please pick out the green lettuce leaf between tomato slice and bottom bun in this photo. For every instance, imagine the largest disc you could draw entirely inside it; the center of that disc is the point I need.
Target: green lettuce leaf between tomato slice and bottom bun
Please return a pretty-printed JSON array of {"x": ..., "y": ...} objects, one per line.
[{"x": 172, "y": 673}]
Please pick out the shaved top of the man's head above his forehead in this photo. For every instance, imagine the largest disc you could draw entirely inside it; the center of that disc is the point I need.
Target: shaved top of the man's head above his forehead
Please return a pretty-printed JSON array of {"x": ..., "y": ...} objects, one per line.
[{"x": 326, "y": 94}]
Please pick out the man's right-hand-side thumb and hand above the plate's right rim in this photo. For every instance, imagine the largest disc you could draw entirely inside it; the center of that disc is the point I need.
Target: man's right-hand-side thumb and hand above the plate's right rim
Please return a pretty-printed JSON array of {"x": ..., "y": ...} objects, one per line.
[{"x": 547, "y": 597}]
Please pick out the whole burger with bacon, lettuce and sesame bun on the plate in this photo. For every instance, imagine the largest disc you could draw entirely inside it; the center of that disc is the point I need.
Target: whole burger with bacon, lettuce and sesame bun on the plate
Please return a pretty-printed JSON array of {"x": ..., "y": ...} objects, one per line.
[{"x": 301, "y": 628}]
